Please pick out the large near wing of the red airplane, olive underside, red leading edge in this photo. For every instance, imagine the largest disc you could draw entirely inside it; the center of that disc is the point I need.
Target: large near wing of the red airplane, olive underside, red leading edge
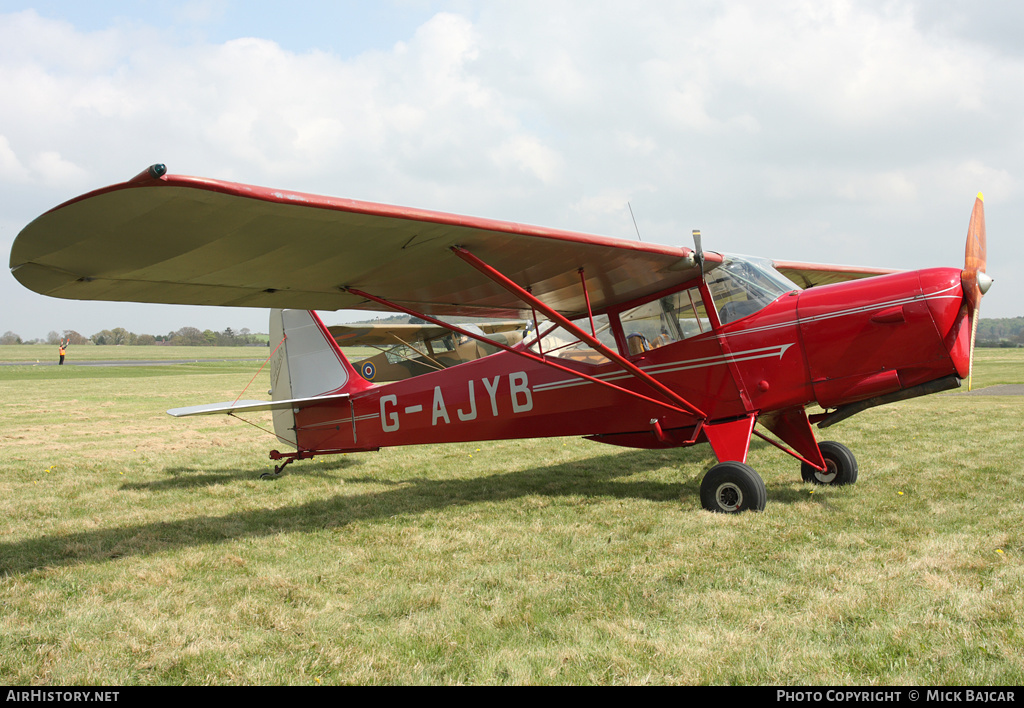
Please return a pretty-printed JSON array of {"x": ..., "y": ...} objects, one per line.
[{"x": 173, "y": 239}]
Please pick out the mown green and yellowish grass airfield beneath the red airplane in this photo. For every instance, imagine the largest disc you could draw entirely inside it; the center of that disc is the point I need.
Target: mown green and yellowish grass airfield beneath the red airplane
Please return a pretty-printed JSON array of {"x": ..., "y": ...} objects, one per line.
[{"x": 141, "y": 550}]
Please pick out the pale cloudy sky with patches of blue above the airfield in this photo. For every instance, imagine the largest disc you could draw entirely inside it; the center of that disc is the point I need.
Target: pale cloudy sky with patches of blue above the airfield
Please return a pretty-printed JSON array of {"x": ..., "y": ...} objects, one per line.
[{"x": 854, "y": 133}]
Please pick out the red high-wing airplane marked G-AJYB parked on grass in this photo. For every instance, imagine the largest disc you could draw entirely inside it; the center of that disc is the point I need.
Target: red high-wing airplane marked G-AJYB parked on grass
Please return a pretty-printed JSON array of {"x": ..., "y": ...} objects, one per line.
[{"x": 632, "y": 344}]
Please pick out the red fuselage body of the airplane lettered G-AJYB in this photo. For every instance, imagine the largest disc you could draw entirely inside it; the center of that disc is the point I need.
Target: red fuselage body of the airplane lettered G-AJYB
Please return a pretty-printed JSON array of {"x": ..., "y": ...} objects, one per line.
[{"x": 832, "y": 346}]
